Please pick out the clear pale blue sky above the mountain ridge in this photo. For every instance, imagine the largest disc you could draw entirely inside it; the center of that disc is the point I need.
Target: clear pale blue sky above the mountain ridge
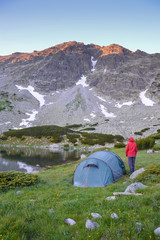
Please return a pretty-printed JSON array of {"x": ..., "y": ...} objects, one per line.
[{"x": 28, "y": 25}]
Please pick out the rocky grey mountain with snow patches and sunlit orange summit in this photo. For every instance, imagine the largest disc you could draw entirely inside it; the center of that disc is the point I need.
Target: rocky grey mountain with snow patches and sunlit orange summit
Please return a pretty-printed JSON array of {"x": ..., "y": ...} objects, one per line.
[{"x": 74, "y": 83}]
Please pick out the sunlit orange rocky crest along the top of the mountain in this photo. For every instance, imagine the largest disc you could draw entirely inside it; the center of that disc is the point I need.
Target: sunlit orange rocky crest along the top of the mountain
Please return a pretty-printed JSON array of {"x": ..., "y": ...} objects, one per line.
[{"x": 68, "y": 48}]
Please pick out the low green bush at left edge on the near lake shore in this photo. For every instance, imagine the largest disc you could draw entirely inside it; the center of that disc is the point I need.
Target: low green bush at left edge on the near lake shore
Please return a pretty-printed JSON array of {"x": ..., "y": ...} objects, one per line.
[{"x": 12, "y": 179}]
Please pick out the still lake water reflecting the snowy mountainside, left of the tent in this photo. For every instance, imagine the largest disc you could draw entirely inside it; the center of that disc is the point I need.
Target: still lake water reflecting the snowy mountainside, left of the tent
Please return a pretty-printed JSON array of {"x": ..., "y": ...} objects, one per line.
[{"x": 32, "y": 160}]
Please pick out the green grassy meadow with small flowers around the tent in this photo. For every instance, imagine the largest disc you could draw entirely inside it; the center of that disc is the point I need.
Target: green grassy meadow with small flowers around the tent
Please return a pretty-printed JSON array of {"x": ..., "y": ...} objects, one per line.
[{"x": 21, "y": 218}]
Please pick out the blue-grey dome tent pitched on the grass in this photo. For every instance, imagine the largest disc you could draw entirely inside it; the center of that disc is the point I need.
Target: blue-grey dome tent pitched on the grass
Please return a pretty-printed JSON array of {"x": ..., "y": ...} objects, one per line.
[{"x": 99, "y": 169}]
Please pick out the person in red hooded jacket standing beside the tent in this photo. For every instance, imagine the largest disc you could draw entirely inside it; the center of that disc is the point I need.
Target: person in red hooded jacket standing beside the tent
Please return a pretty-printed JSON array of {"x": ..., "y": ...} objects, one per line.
[{"x": 131, "y": 152}]
